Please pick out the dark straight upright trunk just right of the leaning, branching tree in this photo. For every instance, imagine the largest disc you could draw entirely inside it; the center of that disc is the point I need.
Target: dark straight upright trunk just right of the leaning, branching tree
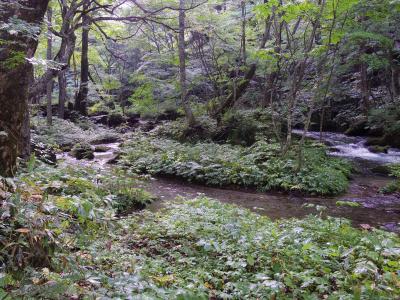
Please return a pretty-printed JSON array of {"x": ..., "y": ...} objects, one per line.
[{"x": 81, "y": 98}]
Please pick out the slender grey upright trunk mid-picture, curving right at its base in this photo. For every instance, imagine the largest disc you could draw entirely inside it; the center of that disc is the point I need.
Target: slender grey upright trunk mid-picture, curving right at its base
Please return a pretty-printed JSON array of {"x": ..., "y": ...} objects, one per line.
[{"x": 182, "y": 65}]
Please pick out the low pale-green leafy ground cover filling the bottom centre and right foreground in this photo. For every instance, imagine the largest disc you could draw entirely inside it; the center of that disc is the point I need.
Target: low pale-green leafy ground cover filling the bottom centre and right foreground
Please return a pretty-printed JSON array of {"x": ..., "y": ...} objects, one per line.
[{"x": 202, "y": 249}]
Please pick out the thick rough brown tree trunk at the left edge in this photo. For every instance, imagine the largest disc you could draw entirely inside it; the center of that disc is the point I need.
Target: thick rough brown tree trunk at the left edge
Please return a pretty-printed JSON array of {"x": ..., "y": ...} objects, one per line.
[{"x": 15, "y": 76}]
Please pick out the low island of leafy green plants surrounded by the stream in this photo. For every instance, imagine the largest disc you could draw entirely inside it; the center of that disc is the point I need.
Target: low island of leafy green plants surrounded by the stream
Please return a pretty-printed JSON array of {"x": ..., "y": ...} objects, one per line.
[{"x": 260, "y": 165}]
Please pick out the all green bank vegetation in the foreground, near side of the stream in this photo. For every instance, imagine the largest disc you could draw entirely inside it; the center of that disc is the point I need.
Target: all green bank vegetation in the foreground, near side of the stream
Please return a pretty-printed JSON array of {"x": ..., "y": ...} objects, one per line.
[{"x": 187, "y": 251}]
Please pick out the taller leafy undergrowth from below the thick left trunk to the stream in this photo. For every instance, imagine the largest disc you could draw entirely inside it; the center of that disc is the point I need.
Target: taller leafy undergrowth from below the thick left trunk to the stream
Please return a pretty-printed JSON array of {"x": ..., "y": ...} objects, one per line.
[{"x": 46, "y": 213}]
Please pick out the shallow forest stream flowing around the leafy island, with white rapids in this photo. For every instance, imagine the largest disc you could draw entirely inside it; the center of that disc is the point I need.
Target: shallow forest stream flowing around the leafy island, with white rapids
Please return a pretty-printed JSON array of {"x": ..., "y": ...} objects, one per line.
[{"x": 376, "y": 209}]
